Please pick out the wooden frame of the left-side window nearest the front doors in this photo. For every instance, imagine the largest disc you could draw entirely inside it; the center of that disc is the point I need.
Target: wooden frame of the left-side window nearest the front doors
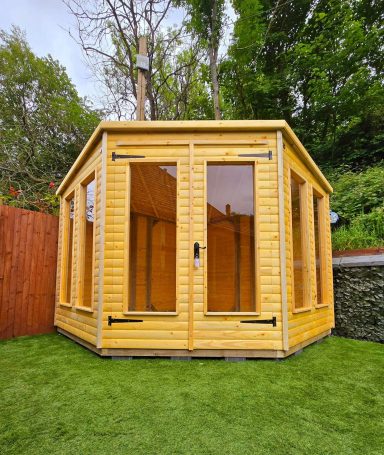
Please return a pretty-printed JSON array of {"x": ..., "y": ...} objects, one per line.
[{"x": 92, "y": 175}]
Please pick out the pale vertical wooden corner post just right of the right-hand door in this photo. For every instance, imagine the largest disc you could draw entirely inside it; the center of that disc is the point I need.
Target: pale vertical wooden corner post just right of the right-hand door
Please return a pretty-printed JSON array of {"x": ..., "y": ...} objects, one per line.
[{"x": 283, "y": 275}]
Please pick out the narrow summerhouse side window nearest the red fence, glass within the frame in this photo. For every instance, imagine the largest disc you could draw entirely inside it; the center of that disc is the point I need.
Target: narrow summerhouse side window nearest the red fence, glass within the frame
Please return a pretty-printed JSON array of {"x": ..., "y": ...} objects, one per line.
[{"x": 69, "y": 212}]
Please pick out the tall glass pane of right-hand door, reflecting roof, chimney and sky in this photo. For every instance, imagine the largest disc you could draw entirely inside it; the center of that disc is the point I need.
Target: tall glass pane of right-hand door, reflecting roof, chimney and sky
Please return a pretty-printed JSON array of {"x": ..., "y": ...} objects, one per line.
[{"x": 230, "y": 237}]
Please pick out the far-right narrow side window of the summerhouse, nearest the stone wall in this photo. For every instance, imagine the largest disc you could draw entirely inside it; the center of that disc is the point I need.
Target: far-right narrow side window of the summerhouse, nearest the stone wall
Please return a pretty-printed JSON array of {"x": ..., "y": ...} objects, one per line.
[{"x": 318, "y": 214}]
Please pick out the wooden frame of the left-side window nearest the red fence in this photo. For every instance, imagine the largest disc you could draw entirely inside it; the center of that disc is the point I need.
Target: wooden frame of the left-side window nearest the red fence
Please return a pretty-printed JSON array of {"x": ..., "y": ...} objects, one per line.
[{"x": 65, "y": 246}]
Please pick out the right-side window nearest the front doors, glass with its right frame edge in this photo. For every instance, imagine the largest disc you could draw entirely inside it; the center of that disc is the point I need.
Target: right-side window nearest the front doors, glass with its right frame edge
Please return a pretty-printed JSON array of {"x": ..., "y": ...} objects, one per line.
[{"x": 299, "y": 242}]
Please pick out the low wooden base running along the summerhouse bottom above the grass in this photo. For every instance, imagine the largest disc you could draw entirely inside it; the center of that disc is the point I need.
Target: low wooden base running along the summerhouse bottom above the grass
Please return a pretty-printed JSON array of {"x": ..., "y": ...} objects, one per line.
[{"x": 199, "y": 353}]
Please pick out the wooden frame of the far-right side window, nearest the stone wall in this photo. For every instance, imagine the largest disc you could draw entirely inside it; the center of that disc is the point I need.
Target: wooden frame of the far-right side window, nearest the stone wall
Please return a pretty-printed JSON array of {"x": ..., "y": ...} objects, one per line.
[{"x": 321, "y": 223}]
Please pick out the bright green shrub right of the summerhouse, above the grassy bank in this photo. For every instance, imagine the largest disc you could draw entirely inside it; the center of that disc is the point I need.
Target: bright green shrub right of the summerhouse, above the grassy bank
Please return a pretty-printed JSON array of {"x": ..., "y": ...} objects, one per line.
[{"x": 357, "y": 193}]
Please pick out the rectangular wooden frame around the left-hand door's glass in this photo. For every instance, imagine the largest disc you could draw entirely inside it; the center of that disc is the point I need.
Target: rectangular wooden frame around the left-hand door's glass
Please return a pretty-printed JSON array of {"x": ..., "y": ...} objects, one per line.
[{"x": 166, "y": 161}]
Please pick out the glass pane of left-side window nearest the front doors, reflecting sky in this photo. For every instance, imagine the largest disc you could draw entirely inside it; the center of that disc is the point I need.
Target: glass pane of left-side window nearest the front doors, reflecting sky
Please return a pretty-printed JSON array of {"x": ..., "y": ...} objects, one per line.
[{"x": 88, "y": 256}]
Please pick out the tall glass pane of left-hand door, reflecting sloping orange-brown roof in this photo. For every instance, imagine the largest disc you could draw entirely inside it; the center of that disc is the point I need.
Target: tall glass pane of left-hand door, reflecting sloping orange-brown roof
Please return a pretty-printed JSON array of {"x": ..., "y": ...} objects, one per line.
[{"x": 152, "y": 263}]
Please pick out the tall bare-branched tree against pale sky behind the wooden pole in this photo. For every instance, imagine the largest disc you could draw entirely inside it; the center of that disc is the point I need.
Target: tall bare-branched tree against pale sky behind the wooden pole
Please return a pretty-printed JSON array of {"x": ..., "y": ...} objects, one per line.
[{"x": 109, "y": 32}]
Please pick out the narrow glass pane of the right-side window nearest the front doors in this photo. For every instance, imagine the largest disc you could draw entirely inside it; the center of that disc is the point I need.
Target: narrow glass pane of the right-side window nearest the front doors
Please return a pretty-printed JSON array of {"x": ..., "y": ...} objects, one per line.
[{"x": 298, "y": 282}]
